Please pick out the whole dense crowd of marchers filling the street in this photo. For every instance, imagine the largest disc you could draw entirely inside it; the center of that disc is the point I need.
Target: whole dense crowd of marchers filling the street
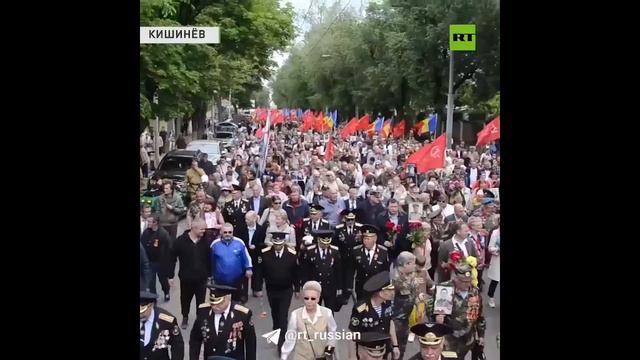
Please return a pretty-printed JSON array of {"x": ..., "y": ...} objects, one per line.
[{"x": 332, "y": 225}]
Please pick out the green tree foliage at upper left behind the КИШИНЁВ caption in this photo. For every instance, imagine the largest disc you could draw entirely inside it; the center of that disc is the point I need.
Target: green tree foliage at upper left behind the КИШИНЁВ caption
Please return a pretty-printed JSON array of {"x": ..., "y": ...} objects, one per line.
[{"x": 186, "y": 77}]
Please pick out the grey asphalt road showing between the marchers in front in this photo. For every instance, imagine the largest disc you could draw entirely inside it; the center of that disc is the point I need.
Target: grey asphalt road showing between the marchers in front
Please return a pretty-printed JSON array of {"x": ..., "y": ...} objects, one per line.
[{"x": 263, "y": 325}]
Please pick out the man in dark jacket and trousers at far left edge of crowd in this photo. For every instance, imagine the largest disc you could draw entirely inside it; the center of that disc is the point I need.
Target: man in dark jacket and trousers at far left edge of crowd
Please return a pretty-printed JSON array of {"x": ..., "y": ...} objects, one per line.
[{"x": 157, "y": 244}]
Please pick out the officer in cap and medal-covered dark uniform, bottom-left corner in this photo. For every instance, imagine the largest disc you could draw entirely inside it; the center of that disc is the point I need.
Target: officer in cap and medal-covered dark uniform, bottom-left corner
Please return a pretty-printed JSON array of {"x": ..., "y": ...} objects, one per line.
[{"x": 159, "y": 331}]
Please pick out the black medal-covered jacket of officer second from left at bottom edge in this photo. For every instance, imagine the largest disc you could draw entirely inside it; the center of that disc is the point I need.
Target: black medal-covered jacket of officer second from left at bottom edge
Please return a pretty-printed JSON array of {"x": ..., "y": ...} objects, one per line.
[{"x": 244, "y": 346}]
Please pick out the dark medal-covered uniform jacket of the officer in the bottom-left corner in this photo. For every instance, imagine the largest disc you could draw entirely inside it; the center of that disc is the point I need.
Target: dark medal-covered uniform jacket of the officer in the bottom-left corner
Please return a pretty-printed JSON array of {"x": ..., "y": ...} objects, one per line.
[{"x": 164, "y": 331}]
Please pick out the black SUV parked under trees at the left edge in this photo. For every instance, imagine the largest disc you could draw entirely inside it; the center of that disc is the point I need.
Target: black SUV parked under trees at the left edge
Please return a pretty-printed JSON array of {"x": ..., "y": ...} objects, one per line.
[{"x": 173, "y": 166}]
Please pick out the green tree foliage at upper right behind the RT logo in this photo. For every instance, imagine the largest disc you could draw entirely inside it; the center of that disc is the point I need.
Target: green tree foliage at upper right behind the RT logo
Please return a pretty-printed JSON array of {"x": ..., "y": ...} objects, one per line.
[{"x": 393, "y": 58}]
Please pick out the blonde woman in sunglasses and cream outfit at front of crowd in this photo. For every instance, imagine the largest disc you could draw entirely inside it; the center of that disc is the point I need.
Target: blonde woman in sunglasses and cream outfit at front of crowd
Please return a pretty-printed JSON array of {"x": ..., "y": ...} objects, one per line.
[{"x": 313, "y": 320}]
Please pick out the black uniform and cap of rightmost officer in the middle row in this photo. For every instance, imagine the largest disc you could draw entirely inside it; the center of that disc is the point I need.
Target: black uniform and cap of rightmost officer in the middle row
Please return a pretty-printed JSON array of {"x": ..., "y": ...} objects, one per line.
[{"x": 368, "y": 262}]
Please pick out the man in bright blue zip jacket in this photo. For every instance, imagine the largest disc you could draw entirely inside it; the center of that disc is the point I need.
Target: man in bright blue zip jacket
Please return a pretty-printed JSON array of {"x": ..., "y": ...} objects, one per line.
[{"x": 231, "y": 262}]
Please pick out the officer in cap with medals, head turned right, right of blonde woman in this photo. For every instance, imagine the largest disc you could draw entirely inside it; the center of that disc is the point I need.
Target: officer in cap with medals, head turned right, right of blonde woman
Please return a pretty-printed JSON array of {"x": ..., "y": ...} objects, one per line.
[{"x": 375, "y": 313}]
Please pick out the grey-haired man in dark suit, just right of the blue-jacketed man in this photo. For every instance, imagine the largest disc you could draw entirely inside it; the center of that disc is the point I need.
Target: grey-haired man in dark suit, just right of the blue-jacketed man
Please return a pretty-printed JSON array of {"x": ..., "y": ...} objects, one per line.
[{"x": 253, "y": 236}]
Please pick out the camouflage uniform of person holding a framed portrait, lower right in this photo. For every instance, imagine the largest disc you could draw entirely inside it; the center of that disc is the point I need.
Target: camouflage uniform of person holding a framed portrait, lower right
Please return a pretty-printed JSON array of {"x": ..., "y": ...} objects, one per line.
[{"x": 466, "y": 320}]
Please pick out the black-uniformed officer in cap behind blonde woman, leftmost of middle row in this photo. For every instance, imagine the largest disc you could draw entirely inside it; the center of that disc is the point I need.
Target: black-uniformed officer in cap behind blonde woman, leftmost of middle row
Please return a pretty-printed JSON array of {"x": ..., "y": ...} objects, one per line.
[{"x": 278, "y": 267}]
